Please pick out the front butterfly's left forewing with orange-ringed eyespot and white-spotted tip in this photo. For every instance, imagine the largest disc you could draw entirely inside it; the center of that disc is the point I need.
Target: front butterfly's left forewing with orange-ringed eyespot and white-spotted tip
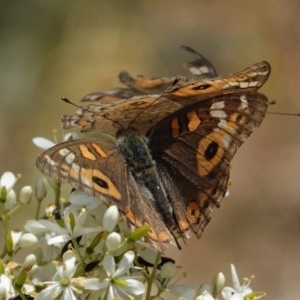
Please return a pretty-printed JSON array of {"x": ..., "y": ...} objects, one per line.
[{"x": 92, "y": 166}]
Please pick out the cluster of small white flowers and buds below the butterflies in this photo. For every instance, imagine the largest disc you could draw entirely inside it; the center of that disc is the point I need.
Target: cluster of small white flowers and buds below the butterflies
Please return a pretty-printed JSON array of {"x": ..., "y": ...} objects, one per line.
[{"x": 83, "y": 249}]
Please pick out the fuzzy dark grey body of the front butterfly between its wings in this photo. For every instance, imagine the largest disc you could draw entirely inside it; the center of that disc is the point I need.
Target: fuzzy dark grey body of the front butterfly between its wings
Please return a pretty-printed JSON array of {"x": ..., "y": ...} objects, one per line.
[{"x": 134, "y": 148}]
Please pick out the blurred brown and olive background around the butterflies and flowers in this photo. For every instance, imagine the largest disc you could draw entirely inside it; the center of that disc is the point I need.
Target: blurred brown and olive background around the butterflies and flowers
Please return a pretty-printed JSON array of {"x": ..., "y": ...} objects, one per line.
[{"x": 50, "y": 49}]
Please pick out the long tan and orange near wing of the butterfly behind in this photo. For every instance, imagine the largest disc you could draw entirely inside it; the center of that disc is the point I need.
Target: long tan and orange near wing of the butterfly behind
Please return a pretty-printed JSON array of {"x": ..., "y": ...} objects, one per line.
[{"x": 125, "y": 110}]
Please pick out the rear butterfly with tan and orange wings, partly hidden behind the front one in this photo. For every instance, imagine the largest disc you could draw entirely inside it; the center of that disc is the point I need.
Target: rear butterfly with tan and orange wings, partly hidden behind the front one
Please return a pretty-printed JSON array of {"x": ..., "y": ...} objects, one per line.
[{"x": 124, "y": 104}]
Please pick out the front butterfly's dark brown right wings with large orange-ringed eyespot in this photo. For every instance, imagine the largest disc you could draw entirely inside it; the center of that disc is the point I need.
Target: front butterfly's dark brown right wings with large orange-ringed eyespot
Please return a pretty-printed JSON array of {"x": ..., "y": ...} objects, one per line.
[{"x": 193, "y": 148}]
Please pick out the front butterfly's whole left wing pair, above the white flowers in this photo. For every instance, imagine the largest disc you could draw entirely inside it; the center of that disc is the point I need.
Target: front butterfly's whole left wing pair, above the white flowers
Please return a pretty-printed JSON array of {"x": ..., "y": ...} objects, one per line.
[{"x": 95, "y": 167}]
